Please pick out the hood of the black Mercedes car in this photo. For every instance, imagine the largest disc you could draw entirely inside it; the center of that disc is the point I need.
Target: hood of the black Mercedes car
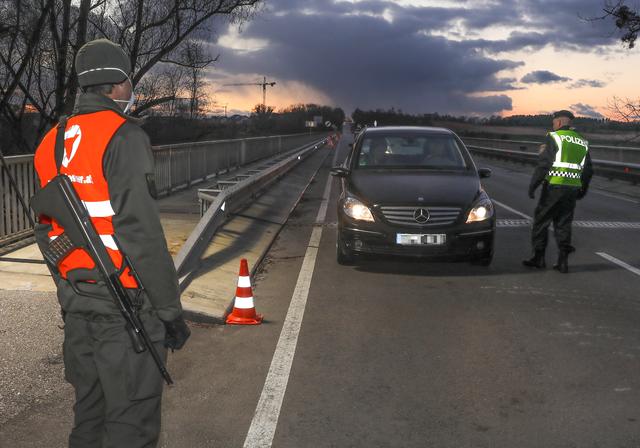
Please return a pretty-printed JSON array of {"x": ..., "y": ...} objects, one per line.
[{"x": 407, "y": 187}]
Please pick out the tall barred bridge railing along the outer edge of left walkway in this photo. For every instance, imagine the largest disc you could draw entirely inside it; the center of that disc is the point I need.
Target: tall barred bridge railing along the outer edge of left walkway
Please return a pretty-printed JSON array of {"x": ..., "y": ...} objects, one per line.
[{"x": 177, "y": 167}]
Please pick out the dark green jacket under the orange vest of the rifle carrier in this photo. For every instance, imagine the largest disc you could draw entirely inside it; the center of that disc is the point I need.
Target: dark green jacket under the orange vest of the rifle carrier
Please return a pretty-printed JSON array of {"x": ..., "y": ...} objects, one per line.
[{"x": 128, "y": 166}]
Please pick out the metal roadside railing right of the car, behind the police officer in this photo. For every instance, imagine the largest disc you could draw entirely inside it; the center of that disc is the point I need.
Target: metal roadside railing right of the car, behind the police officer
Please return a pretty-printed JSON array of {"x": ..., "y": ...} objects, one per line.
[{"x": 612, "y": 169}]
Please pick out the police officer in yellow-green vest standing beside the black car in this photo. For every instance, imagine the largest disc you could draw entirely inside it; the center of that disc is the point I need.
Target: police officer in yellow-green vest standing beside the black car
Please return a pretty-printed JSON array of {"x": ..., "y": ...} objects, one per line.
[{"x": 564, "y": 169}]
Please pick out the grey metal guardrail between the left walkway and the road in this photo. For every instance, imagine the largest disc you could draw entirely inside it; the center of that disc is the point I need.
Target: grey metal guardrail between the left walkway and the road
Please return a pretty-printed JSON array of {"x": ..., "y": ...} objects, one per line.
[{"x": 220, "y": 203}]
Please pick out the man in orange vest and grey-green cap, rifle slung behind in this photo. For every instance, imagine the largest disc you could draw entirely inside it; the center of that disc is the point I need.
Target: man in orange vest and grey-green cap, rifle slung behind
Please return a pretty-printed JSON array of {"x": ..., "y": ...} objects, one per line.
[{"x": 108, "y": 158}]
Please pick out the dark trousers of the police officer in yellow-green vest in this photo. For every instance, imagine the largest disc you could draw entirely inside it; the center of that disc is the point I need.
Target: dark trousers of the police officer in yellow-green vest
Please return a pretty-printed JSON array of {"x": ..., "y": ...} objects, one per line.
[{"x": 557, "y": 204}]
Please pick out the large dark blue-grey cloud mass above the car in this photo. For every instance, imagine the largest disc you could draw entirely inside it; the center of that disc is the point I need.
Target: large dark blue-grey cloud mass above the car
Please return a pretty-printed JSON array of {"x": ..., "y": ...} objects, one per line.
[{"x": 368, "y": 62}]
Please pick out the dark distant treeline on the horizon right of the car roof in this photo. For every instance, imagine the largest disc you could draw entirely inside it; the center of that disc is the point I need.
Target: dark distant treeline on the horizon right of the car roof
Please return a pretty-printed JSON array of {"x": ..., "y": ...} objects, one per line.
[{"x": 394, "y": 117}]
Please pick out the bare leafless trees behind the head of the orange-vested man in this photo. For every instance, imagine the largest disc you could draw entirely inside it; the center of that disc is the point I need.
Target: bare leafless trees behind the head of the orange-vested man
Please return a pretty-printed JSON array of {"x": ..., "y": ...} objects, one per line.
[{"x": 40, "y": 38}]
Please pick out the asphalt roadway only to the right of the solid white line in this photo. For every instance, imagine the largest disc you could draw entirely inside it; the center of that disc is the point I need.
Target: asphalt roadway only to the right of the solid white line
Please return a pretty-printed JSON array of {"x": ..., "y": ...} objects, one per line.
[{"x": 405, "y": 353}]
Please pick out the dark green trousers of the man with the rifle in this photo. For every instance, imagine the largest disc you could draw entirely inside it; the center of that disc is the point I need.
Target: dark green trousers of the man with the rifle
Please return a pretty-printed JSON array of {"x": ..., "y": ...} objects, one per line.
[{"x": 118, "y": 392}]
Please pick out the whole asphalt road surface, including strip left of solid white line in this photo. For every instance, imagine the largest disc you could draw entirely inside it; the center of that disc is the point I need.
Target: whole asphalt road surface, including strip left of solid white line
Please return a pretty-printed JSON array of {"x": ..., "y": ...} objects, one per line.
[{"x": 405, "y": 353}]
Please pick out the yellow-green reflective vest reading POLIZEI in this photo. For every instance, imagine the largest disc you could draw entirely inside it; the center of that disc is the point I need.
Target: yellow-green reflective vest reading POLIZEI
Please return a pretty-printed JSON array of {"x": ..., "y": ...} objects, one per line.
[{"x": 569, "y": 163}]
